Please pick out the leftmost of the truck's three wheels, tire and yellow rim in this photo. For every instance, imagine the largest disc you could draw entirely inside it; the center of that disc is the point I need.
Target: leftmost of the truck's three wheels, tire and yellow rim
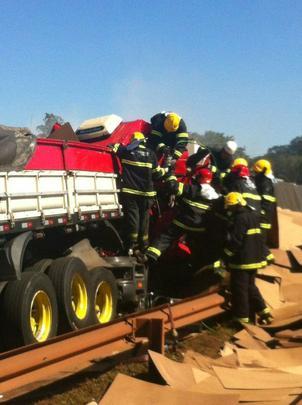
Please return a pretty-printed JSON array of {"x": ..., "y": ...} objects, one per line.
[{"x": 23, "y": 303}]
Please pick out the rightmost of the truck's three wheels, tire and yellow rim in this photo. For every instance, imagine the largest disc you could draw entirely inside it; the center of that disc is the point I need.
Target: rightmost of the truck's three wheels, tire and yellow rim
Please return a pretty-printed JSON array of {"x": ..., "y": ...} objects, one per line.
[{"x": 104, "y": 295}]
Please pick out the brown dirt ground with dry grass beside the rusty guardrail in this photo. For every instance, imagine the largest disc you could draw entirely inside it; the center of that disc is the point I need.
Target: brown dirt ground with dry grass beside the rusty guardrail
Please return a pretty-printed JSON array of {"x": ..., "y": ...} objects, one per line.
[{"x": 206, "y": 338}]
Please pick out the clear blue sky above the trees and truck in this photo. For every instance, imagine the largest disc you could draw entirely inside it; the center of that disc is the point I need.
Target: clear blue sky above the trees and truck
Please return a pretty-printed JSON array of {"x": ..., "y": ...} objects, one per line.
[{"x": 232, "y": 66}]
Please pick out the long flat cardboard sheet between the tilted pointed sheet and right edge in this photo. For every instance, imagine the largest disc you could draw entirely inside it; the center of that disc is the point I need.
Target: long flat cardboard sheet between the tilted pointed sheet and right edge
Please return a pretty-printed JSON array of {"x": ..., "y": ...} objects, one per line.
[{"x": 251, "y": 378}]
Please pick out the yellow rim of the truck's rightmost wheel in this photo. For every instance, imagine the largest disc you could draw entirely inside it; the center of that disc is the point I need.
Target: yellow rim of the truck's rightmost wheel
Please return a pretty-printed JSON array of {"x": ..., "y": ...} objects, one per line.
[{"x": 103, "y": 302}]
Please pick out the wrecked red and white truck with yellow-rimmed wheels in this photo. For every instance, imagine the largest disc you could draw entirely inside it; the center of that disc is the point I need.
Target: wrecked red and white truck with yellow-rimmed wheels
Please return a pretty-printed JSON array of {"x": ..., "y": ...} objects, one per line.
[{"x": 61, "y": 253}]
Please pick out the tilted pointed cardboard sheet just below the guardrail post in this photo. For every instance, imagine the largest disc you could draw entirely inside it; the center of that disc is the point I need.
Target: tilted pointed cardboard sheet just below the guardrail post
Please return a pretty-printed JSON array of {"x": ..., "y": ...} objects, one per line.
[{"x": 175, "y": 374}]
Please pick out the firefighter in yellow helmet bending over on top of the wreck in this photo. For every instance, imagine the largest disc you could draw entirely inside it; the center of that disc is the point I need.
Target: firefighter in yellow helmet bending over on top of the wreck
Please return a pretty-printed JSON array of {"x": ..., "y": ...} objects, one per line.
[{"x": 168, "y": 134}]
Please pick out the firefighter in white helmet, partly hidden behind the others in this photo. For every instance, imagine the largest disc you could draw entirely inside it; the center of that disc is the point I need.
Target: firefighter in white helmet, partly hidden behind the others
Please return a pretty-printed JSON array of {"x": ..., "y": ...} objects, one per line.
[{"x": 220, "y": 159}]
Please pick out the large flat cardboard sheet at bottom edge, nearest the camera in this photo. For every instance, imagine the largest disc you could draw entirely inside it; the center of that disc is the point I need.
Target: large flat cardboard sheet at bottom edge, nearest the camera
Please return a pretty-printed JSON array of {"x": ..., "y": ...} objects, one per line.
[{"x": 131, "y": 391}]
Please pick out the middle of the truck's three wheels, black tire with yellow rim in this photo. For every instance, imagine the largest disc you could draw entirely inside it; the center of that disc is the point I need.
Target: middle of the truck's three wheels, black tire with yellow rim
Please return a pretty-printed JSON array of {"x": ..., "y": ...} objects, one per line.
[{"x": 72, "y": 285}]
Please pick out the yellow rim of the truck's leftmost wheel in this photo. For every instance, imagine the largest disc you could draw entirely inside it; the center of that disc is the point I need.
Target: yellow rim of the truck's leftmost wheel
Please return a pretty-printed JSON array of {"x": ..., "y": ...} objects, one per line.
[{"x": 40, "y": 316}]
